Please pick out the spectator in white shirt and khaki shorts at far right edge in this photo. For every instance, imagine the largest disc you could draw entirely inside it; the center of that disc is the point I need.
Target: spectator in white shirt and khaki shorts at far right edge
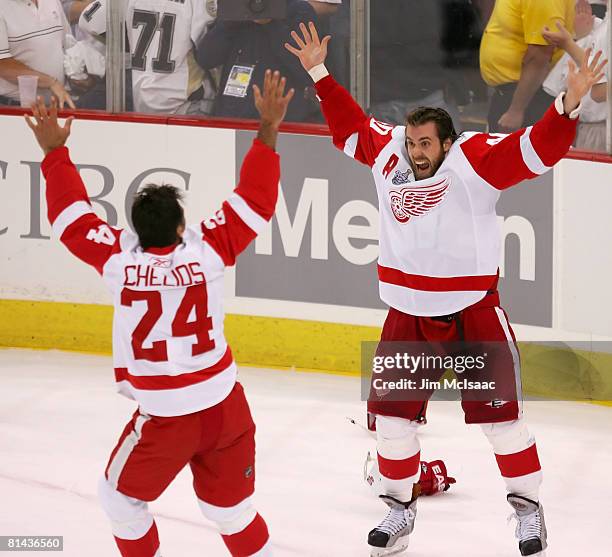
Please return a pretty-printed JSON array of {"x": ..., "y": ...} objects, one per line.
[{"x": 591, "y": 133}]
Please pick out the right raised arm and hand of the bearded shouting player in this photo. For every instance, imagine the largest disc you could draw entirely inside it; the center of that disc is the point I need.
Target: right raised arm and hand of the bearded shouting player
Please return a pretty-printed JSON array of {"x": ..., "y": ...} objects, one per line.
[{"x": 504, "y": 161}]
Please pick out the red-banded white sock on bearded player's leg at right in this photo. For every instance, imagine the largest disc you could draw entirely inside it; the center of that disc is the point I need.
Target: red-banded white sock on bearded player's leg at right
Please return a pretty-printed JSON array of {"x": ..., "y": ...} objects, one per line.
[{"x": 517, "y": 457}]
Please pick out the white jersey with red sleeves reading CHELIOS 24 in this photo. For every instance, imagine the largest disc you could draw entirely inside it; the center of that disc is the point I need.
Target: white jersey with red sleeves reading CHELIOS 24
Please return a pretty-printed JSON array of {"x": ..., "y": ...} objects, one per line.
[{"x": 169, "y": 349}]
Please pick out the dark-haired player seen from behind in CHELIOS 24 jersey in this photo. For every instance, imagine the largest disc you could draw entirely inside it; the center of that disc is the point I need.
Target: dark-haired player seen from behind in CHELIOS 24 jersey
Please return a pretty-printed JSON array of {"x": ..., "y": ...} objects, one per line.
[{"x": 169, "y": 350}]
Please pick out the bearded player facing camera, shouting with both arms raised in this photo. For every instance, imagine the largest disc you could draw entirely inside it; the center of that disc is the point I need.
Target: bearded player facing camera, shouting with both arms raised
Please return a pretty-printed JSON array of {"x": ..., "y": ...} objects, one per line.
[{"x": 438, "y": 270}]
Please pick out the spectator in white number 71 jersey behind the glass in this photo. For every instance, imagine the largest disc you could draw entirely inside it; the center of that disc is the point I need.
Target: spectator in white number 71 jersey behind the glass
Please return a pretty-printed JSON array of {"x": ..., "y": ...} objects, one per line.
[{"x": 162, "y": 36}]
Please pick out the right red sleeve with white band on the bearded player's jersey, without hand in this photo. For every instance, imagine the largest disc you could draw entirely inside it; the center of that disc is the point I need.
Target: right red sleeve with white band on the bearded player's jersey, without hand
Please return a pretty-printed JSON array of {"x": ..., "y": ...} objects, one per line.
[{"x": 505, "y": 160}]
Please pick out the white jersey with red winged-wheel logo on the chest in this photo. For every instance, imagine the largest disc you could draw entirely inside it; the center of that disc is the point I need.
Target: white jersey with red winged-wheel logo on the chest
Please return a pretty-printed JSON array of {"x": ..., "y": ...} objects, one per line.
[{"x": 439, "y": 238}]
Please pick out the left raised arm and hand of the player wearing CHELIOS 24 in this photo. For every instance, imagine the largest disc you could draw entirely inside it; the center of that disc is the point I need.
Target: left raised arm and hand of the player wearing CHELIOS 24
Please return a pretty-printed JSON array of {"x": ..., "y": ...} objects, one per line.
[{"x": 86, "y": 235}]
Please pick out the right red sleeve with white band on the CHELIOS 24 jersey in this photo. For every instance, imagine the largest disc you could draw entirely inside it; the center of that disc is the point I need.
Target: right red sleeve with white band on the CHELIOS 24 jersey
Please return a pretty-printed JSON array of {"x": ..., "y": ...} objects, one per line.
[{"x": 245, "y": 213}]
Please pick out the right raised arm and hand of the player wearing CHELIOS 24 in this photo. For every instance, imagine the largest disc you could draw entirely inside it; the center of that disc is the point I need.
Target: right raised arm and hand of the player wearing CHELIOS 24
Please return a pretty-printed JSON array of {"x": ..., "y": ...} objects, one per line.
[{"x": 252, "y": 204}]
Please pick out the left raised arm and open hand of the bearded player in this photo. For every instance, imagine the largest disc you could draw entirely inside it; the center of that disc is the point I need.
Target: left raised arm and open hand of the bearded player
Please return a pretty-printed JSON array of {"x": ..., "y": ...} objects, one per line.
[{"x": 358, "y": 135}]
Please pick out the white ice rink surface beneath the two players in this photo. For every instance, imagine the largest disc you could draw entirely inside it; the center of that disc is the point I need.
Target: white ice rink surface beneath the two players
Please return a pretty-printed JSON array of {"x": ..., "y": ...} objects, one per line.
[{"x": 60, "y": 418}]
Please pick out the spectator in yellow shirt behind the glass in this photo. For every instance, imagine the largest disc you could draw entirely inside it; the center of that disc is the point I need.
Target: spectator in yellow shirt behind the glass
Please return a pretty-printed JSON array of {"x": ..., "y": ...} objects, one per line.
[{"x": 515, "y": 59}]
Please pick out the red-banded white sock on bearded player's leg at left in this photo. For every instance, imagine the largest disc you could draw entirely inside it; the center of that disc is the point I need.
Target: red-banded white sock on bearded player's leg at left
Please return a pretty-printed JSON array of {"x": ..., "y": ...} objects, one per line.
[{"x": 399, "y": 456}]
